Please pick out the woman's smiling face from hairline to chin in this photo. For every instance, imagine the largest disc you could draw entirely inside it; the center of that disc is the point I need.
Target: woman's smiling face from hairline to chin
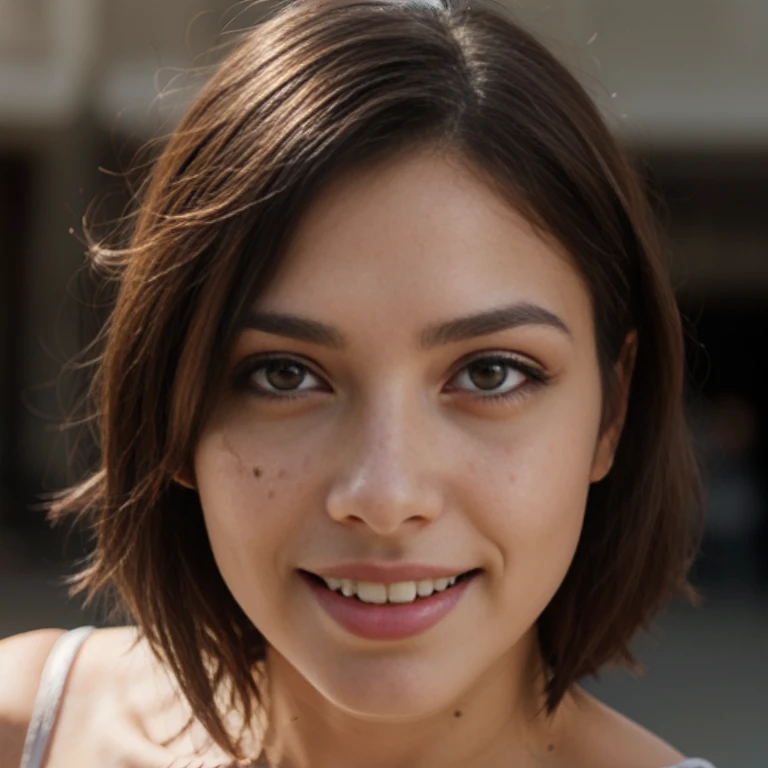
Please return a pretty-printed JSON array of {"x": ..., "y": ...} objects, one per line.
[{"x": 416, "y": 395}]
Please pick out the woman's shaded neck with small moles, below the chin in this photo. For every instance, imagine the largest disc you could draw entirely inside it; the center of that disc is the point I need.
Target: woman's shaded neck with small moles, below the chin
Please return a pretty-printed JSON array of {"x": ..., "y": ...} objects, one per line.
[{"x": 499, "y": 721}]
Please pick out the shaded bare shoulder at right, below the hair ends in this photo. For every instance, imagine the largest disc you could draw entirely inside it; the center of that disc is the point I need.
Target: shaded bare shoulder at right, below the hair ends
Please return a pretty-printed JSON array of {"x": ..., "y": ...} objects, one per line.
[{"x": 607, "y": 739}]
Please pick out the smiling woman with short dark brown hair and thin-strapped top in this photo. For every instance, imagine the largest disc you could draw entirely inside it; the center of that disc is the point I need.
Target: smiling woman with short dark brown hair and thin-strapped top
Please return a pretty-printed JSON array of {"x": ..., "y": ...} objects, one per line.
[{"x": 393, "y": 450}]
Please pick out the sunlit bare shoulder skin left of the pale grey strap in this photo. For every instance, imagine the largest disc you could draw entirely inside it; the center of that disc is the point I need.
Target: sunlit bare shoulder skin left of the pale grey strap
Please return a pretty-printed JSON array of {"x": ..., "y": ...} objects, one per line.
[{"x": 22, "y": 658}]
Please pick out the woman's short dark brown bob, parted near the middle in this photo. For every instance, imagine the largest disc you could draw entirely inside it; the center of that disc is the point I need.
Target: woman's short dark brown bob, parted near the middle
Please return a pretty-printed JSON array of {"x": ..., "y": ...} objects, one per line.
[{"x": 315, "y": 89}]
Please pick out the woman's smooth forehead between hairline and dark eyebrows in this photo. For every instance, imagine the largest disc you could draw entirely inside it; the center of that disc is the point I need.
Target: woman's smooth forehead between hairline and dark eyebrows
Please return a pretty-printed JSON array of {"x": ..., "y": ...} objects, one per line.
[{"x": 416, "y": 239}]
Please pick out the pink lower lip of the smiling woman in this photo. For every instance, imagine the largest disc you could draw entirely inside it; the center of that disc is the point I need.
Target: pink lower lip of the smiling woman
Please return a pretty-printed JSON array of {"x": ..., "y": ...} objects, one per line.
[{"x": 391, "y": 621}]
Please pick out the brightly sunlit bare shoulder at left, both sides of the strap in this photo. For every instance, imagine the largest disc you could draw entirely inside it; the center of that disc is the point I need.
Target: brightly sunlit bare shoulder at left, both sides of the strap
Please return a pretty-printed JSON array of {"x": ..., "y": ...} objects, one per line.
[{"x": 120, "y": 704}]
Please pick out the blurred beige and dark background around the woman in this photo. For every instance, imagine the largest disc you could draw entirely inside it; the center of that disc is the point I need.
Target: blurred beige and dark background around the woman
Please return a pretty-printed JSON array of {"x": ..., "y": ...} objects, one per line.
[{"x": 684, "y": 84}]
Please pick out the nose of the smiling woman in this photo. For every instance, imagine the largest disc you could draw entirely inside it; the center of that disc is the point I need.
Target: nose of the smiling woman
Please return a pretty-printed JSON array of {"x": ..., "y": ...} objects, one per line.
[{"x": 389, "y": 480}]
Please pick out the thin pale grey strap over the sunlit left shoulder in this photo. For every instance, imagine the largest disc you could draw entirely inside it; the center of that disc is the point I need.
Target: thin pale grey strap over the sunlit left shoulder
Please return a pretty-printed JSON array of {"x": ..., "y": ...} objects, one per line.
[{"x": 48, "y": 699}]
